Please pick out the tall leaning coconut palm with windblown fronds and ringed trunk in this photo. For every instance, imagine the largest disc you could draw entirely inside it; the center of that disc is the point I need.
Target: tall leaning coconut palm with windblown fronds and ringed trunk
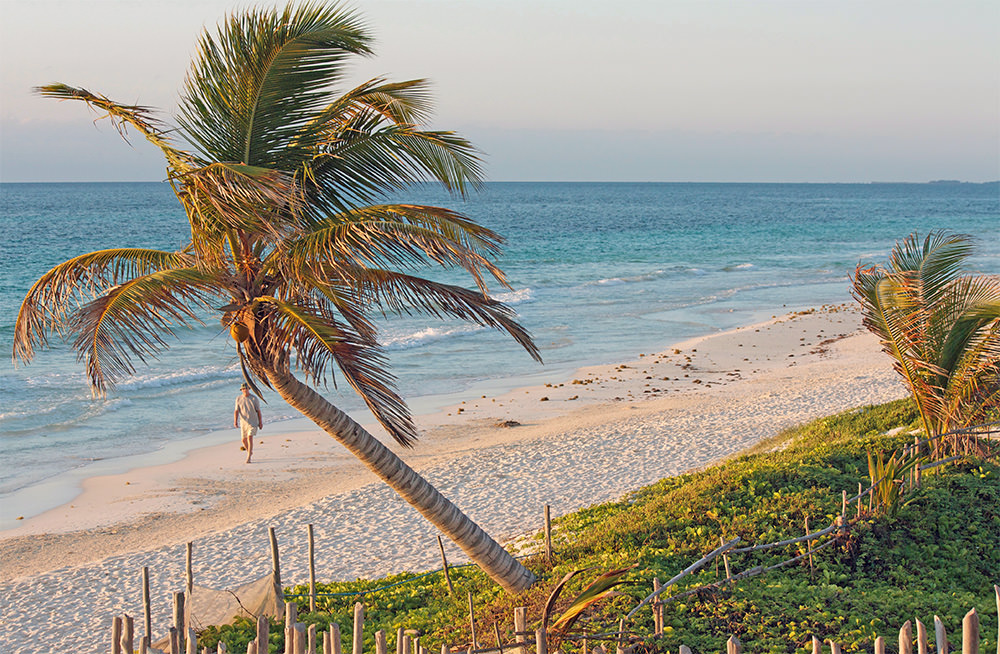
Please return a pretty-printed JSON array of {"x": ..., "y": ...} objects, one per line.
[{"x": 280, "y": 182}]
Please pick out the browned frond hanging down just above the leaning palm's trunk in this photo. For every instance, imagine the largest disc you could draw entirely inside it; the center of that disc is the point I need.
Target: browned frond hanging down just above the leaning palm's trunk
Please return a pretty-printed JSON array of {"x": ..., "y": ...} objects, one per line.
[{"x": 318, "y": 340}]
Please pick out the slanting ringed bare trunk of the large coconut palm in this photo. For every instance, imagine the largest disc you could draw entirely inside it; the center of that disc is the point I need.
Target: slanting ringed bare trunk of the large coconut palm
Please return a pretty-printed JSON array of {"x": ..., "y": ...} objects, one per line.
[{"x": 476, "y": 543}]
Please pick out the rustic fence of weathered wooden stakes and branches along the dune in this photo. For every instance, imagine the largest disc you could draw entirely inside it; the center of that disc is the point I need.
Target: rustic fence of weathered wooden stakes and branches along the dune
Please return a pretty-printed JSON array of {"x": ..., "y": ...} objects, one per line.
[{"x": 182, "y": 638}]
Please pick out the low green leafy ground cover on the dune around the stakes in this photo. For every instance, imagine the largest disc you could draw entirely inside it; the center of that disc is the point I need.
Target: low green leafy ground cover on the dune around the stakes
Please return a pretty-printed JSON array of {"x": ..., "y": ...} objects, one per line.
[{"x": 939, "y": 555}]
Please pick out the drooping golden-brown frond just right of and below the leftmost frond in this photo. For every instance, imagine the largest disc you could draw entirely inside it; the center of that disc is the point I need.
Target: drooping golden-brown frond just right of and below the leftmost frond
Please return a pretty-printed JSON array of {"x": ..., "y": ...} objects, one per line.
[{"x": 130, "y": 320}]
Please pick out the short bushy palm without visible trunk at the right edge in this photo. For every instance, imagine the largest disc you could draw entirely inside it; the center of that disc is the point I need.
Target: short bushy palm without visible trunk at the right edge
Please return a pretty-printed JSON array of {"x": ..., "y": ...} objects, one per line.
[{"x": 941, "y": 328}]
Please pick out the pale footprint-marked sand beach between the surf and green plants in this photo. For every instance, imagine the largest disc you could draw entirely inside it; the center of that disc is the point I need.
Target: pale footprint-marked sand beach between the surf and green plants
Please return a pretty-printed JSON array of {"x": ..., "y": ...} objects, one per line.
[{"x": 608, "y": 430}]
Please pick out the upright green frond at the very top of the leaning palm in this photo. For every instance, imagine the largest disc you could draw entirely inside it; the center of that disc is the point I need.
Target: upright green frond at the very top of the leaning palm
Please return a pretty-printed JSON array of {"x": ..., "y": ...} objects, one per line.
[{"x": 264, "y": 75}]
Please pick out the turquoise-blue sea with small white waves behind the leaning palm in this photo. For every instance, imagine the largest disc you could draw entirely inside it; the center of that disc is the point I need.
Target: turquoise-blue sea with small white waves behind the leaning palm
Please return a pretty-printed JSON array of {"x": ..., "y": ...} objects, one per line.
[{"x": 600, "y": 273}]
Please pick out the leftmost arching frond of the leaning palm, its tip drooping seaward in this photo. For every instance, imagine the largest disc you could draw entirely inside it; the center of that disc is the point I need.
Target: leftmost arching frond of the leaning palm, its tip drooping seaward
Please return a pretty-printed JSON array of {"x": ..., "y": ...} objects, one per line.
[{"x": 60, "y": 291}]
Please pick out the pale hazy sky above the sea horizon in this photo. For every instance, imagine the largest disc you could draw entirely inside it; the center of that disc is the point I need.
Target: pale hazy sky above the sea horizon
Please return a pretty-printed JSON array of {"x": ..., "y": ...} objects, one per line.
[{"x": 570, "y": 90}]
